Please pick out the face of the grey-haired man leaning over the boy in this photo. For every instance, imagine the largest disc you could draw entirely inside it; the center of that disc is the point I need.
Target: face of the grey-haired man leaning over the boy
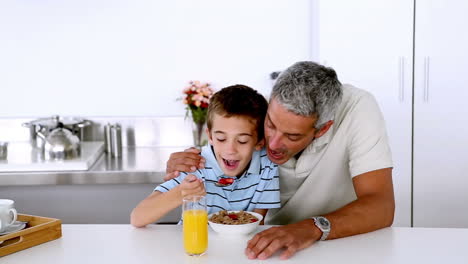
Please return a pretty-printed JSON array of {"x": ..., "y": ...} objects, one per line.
[{"x": 286, "y": 133}]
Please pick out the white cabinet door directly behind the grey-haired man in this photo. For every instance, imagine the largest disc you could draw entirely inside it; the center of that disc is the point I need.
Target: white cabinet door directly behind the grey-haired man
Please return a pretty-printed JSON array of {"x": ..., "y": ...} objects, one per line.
[{"x": 369, "y": 44}]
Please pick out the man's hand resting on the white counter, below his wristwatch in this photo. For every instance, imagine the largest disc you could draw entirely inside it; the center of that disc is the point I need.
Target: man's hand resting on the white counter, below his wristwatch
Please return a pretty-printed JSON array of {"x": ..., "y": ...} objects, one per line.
[{"x": 292, "y": 238}]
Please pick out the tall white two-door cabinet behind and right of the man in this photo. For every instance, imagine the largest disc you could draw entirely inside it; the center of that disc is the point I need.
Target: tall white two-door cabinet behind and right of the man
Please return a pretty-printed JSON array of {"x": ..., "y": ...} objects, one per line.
[{"x": 371, "y": 44}]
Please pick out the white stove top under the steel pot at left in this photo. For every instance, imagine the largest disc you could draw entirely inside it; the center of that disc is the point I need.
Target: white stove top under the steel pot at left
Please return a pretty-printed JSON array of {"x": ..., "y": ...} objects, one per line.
[{"x": 23, "y": 157}]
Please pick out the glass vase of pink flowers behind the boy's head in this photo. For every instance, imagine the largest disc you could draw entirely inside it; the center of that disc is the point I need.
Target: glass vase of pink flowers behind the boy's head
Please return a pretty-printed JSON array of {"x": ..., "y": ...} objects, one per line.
[{"x": 197, "y": 98}]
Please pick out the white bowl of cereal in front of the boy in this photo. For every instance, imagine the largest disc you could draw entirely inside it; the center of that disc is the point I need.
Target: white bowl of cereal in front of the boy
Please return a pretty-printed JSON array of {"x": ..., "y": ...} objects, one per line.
[{"x": 234, "y": 222}]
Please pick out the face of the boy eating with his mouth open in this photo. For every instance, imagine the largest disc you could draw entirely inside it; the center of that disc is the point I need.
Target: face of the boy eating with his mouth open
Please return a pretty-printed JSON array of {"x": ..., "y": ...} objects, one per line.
[{"x": 234, "y": 139}]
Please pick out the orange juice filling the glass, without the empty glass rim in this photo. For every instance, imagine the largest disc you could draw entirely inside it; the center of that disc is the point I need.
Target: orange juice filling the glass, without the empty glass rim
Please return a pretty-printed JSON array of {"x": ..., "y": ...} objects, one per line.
[{"x": 195, "y": 231}]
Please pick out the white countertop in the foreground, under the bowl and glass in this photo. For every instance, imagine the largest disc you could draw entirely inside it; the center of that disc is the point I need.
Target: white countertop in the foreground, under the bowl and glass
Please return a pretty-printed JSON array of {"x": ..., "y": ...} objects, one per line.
[{"x": 163, "y": 244}]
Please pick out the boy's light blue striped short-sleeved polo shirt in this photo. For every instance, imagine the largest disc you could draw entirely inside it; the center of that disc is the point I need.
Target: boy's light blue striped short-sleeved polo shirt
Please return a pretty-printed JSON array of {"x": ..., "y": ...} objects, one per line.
[{"x": 258, "y": 188}]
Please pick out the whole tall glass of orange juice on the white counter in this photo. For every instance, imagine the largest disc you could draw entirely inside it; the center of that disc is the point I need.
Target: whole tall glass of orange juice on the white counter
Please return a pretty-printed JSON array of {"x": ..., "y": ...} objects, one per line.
[{"x": 195, "y": 225}]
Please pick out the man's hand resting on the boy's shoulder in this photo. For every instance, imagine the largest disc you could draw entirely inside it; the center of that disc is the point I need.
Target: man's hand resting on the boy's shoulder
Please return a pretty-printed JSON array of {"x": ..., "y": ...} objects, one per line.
[{"x": 188, "y": 161}]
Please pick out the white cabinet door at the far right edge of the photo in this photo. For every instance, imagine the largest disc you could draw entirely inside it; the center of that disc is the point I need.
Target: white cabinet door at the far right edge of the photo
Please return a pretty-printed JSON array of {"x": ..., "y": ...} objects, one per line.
[{"x": 440, "y": 114}]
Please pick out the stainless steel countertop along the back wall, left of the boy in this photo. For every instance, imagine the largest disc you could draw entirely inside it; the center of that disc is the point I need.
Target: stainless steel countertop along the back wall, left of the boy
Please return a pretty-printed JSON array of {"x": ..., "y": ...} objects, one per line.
[{"x": 138, "y": 165}]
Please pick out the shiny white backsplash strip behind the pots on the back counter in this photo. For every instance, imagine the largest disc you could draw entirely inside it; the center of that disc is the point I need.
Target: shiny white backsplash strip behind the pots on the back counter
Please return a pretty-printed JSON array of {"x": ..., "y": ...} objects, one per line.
[{"x": 136, "y": 131}]
